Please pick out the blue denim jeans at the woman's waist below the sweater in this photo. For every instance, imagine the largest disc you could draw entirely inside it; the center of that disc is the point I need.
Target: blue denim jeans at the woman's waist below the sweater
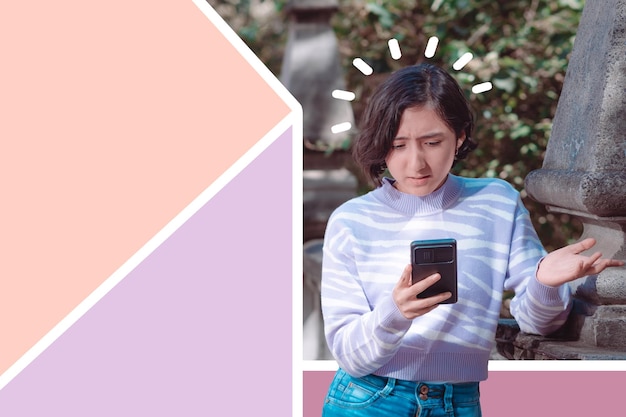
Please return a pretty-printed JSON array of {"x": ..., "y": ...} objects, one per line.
[{"x": 373, "y": 395}]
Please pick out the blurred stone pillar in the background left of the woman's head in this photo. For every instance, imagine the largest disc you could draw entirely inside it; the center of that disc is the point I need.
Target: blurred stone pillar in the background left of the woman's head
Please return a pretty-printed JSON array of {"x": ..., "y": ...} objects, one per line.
[{"x": 311, "y": 71}]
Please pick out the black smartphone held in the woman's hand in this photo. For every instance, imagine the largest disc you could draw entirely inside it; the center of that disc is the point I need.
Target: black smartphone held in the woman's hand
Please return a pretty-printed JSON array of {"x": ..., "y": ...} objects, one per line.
[{"x": 431, "y": 256}]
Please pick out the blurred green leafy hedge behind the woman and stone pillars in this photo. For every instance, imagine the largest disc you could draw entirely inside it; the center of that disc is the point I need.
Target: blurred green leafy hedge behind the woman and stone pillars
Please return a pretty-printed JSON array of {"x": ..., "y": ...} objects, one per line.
[{"x": 522, "y": 47}]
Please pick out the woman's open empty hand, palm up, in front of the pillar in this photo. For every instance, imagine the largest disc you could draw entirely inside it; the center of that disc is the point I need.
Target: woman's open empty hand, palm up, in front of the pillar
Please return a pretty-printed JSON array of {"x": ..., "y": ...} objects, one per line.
[{"x": 567, "y": 264}]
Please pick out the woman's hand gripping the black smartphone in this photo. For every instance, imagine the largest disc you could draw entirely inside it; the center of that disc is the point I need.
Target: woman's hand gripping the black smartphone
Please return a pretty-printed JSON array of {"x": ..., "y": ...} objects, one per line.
[{"x": 405, "y": 295}]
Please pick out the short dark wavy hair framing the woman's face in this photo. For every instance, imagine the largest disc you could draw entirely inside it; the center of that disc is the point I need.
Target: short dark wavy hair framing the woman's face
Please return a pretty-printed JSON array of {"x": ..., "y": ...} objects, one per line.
[{"x": 414, "y": 86}]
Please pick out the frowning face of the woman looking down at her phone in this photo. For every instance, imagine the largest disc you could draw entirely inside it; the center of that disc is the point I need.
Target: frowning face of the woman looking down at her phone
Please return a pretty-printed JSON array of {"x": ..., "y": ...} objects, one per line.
[{"x": 422, "y": 152}]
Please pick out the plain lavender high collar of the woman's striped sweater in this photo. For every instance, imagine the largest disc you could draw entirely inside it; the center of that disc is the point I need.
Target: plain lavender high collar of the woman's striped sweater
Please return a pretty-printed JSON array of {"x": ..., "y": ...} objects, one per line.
[{"x": 410, "y": 204}]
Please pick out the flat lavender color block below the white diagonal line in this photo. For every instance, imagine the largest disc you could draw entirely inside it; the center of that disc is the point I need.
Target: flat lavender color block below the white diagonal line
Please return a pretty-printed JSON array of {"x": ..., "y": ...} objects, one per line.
[{"x": 201, "y": 328}]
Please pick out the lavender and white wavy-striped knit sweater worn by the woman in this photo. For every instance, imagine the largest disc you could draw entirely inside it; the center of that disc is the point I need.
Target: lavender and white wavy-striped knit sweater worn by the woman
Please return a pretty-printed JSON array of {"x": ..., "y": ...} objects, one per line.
[{"x": 366, "y": 247}]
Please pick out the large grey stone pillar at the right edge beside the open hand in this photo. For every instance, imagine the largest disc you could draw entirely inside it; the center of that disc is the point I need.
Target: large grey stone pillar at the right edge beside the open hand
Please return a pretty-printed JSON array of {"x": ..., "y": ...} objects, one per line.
[{"x": 584, "y": 171}]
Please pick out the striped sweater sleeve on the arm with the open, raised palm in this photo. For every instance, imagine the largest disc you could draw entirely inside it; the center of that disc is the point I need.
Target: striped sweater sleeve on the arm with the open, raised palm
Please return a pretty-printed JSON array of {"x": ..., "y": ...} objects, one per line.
[{"x": 538, "y": 309}]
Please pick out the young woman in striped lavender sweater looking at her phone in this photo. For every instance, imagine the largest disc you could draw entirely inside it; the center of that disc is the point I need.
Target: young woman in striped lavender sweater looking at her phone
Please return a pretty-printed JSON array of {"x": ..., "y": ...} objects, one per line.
[{"x": 399, "y": 354}]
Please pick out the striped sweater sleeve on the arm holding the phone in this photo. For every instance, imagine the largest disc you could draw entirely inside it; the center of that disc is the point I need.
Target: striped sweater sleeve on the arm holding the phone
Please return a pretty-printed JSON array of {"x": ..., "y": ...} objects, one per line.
[{"x": 361, "y": 338}]
